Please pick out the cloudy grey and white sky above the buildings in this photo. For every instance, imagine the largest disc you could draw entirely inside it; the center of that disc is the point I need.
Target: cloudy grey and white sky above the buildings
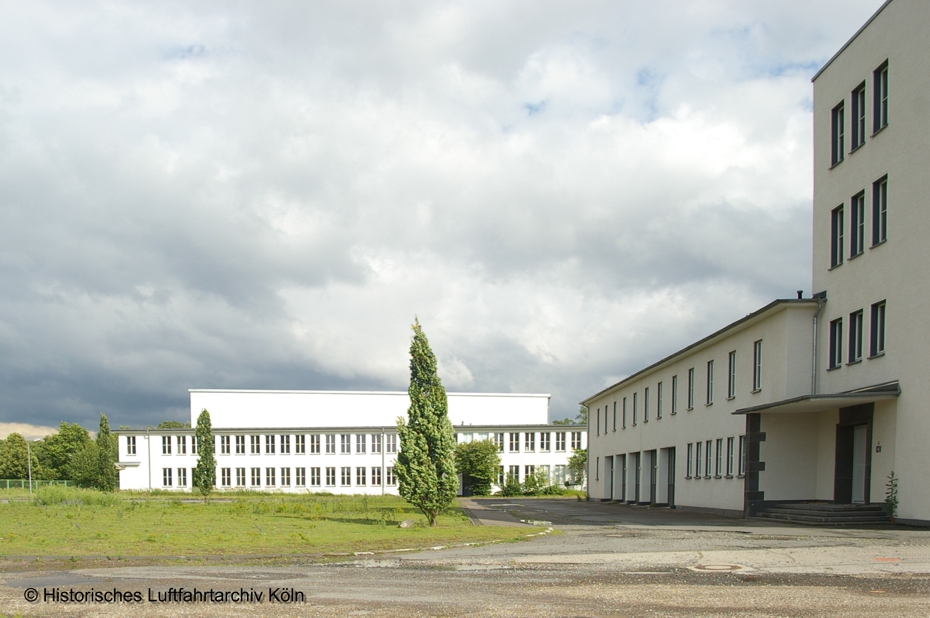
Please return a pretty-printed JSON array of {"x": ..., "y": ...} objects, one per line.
[{"x": 265, "y": 195}]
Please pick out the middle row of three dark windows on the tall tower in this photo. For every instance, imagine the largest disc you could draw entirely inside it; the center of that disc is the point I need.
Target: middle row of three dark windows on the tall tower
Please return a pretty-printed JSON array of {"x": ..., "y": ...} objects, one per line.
[{"x": 857, "y": 209}]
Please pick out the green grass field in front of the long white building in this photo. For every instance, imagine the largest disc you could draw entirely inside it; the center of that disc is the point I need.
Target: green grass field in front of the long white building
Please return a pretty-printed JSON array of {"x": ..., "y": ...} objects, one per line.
[{"x": 72, "y": 522}]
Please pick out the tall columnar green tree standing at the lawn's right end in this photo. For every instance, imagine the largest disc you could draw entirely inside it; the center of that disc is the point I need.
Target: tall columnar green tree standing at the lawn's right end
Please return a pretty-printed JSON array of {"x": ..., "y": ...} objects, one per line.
[{"x": 425, "y": 465}]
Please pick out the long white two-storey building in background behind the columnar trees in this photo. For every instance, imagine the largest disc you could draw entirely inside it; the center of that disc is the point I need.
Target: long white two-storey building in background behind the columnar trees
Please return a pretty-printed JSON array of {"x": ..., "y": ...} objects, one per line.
[{"x": 334, "y": 441}]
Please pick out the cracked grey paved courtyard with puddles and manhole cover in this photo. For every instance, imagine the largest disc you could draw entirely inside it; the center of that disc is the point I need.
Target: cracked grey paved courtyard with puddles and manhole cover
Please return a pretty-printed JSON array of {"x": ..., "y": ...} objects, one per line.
[{"x": 598, "y": 560}]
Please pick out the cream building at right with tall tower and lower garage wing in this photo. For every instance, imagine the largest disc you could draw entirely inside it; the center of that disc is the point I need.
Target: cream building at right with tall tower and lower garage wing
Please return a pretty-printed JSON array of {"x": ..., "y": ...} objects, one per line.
[{"x": 814, "y": 399}]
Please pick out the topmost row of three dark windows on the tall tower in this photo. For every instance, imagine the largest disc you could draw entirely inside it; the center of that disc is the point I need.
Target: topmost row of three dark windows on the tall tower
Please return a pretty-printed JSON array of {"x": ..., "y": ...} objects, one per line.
[{"x": 859, "y": 115}]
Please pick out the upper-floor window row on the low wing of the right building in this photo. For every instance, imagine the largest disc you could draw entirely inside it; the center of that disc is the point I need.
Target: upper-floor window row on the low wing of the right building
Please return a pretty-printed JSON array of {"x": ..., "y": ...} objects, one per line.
[{"x": 659, "y": 394}]
